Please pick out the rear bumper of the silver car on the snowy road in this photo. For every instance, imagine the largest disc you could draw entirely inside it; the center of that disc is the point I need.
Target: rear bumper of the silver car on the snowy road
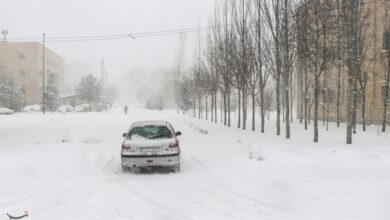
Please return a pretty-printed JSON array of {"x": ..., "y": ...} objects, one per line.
[{"x": 150, "y": 160}]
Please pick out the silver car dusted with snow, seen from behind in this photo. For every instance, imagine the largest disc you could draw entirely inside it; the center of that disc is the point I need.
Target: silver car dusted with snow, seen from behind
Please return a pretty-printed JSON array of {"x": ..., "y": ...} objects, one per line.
[{"x": 151, "y": 144}]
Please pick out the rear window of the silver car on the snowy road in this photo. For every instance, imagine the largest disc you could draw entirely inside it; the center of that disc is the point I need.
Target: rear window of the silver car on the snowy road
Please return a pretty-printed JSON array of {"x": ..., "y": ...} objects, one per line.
[{"x": 150, "y": 132}]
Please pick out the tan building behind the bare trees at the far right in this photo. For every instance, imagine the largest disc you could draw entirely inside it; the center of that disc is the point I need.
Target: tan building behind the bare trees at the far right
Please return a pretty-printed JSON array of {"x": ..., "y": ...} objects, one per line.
[{"x": 374, "y": 67}]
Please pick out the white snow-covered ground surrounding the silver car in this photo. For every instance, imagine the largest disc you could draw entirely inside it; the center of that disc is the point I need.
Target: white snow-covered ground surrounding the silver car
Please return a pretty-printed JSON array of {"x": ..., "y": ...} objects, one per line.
[{"x": 67, "y": 166}]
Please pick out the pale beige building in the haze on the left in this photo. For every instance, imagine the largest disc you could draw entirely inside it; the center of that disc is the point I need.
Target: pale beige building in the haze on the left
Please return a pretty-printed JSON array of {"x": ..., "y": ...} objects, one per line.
[{"x": 23, "y": 62}]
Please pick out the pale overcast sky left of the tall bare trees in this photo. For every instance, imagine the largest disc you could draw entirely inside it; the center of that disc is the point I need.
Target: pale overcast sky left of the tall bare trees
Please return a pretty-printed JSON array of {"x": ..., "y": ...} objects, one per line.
[{"x": 30, "y": 18}]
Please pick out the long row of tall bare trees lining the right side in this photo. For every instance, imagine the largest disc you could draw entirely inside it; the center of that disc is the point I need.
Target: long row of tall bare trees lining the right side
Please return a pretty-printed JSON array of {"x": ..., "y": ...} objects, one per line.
[{"x": 260, "y": 52}]
